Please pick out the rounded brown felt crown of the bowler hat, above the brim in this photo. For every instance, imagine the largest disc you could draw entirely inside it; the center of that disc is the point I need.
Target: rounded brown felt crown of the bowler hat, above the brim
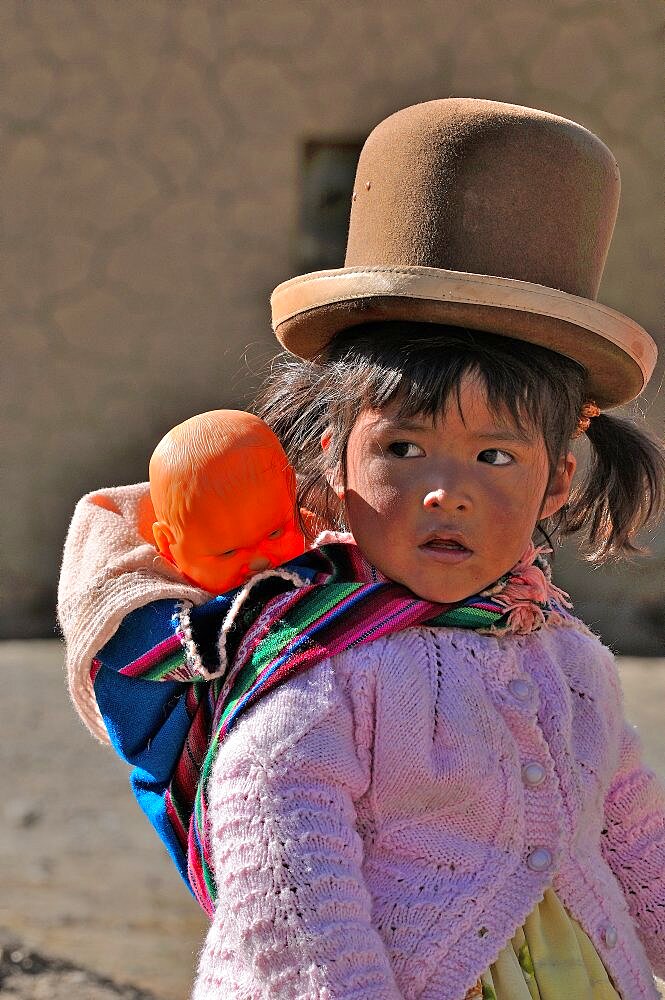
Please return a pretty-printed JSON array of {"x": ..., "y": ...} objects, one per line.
[{"x": 487, "y": 188}]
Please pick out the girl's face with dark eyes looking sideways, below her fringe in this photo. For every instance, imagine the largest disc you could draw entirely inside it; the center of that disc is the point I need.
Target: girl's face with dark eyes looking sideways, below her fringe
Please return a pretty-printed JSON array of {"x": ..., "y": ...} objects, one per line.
[{"x": 446, "y": 507}]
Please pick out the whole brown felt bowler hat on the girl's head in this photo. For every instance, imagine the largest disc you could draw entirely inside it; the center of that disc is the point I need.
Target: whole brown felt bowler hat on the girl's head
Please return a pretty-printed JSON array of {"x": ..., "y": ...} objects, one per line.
[{"x": 482, "y": 215}]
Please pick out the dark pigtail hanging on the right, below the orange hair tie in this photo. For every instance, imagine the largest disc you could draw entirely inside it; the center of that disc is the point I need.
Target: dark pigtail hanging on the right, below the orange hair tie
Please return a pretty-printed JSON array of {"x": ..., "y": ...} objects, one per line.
[{"x": 622, "y": 492}]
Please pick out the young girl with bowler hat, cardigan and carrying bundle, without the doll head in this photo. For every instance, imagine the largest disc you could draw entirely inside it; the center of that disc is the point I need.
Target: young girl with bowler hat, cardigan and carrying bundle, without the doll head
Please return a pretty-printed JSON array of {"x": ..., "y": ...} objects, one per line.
[{"x": 434, "y": 793}]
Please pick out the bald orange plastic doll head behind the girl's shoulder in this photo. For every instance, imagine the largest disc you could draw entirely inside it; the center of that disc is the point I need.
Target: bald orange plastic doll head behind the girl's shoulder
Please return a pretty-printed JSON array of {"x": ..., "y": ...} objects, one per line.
[{"x": 224, "y": 499}]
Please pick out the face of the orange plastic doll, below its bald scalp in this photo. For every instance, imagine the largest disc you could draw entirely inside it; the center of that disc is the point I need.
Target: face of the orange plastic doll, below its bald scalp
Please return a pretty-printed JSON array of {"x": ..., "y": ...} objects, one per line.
[{"x": 228, "y": 537}]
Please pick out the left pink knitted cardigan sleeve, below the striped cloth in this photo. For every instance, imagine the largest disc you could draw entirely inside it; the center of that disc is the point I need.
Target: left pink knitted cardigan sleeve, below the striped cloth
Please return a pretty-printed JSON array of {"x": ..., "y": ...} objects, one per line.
[{"x": 294, "y": 917}]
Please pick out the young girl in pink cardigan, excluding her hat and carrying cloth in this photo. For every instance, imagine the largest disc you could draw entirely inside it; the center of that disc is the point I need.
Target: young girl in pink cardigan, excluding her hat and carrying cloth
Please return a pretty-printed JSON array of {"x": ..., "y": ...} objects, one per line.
[{"x": 425, "y": 795}]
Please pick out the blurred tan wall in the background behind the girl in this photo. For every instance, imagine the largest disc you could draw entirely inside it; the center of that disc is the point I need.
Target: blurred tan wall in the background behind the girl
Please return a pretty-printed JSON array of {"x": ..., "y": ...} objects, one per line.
[{"x": 150, "y": 163}]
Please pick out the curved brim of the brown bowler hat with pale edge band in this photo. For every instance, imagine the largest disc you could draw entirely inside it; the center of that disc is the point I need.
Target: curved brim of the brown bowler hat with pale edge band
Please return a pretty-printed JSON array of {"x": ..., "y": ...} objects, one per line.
[{"x": 618, "y": 355}]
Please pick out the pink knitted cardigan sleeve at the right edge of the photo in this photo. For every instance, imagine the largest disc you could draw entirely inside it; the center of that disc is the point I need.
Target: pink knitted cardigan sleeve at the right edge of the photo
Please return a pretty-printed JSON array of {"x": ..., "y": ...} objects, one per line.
[{"x": 634, "y": 844}]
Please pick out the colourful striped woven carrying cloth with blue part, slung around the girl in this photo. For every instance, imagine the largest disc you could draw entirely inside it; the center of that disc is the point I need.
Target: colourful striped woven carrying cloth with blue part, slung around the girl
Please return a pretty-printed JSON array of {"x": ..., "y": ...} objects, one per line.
[{"x": 324, "y": 603}]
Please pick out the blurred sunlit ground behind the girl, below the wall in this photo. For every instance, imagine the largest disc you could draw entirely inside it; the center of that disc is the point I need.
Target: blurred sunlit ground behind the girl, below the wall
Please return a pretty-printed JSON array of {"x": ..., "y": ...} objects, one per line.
[{"x": 91, "y": 907}]
